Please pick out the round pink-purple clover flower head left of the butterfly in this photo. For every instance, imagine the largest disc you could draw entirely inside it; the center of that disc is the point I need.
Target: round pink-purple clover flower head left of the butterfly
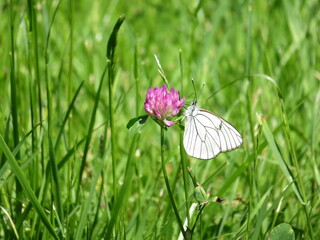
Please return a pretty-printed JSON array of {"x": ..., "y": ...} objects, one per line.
[{"x": 162, "y": 104}]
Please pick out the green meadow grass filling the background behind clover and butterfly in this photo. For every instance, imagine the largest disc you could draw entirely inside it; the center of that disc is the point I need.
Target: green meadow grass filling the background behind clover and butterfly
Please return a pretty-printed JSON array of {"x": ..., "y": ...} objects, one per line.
[{"x": 60, "y": 176}]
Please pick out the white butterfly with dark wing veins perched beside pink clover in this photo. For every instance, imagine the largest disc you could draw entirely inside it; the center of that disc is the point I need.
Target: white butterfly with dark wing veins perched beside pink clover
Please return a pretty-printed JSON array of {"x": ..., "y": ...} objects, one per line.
[{"x": 206, "y": 134}]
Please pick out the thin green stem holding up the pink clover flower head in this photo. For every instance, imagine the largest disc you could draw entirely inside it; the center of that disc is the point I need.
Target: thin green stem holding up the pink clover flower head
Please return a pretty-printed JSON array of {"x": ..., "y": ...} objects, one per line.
[{"x": 164, "y": 171}]
